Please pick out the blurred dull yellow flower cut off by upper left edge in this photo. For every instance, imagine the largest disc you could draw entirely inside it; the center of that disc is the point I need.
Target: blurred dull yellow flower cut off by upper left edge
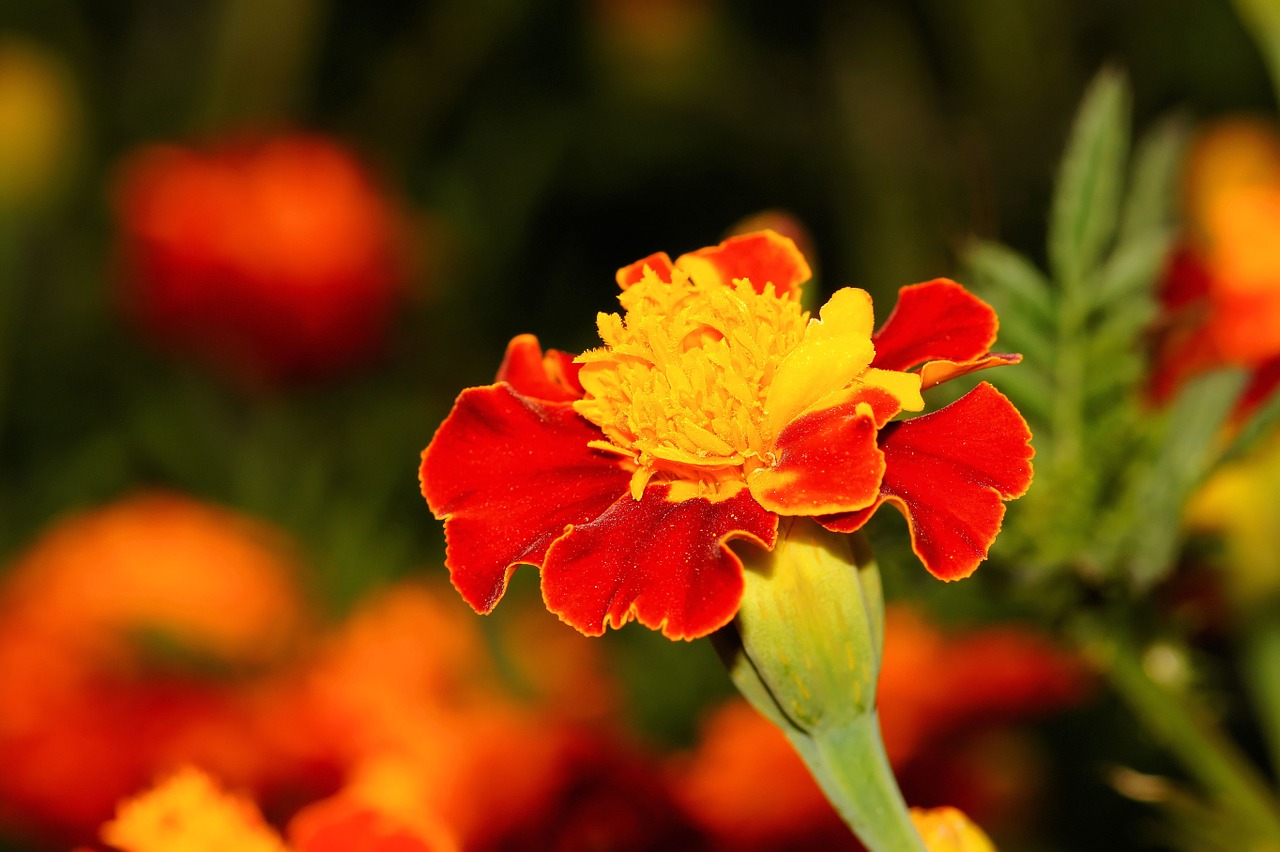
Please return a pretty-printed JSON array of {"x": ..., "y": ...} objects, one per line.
[{"x": 39, "y": 118}]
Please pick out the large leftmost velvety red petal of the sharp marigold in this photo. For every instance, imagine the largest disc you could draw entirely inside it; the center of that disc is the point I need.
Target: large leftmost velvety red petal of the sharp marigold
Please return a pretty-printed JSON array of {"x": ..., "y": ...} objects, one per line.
[{"x": 509, "y": 474}]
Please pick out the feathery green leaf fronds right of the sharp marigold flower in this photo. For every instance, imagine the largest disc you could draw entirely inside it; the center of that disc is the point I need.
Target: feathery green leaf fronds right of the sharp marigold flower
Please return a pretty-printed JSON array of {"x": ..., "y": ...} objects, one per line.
[{"x": 1112, "y": 477}]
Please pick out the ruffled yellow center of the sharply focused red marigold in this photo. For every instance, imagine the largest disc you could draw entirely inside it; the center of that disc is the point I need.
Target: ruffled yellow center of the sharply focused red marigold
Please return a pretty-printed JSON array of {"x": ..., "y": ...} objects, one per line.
[{"x": 683, "y": 381}]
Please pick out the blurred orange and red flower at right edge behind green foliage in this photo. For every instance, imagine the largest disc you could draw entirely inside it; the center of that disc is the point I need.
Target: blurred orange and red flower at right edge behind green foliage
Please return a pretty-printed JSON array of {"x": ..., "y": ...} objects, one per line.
[{"x": 1222, "y": 294}]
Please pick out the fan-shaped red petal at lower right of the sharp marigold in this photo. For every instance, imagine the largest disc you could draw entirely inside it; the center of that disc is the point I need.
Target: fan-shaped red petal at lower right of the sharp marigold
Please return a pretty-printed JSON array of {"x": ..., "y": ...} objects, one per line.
[{"x": 949, "y": 474}]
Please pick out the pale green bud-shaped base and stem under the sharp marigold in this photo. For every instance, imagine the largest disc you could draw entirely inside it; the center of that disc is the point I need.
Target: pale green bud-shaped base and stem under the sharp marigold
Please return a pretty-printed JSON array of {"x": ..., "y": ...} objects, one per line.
[{"x": 806, "y": 652}]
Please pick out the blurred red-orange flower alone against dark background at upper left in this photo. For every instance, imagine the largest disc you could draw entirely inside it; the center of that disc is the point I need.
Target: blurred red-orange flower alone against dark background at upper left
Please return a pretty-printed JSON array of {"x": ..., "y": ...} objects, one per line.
[{"x": 273, "y": 259}]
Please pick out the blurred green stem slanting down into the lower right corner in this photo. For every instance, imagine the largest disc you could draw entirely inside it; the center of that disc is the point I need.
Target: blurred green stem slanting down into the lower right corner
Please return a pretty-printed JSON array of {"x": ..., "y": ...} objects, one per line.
[{"x": 1187, "y": 731}]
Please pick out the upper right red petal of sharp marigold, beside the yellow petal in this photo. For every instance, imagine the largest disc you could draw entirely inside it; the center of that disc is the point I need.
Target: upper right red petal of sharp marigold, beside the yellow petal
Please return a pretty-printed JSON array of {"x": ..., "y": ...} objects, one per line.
[{"x": 935, "y": 322}]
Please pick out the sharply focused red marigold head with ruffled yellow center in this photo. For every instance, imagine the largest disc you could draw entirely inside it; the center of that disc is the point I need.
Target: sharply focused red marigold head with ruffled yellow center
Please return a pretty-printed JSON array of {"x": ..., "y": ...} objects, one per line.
[{"x": 715, "y": 406}]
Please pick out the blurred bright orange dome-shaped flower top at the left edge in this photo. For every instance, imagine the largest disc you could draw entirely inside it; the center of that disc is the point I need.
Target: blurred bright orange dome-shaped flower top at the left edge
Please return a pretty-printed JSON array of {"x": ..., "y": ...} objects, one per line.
[{"x": 162, "y": 567}]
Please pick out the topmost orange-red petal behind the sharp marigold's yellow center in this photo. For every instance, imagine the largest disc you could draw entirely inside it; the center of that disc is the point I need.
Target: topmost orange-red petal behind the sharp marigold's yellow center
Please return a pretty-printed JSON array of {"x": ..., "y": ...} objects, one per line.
[{"x": 762, "y": 258}]
